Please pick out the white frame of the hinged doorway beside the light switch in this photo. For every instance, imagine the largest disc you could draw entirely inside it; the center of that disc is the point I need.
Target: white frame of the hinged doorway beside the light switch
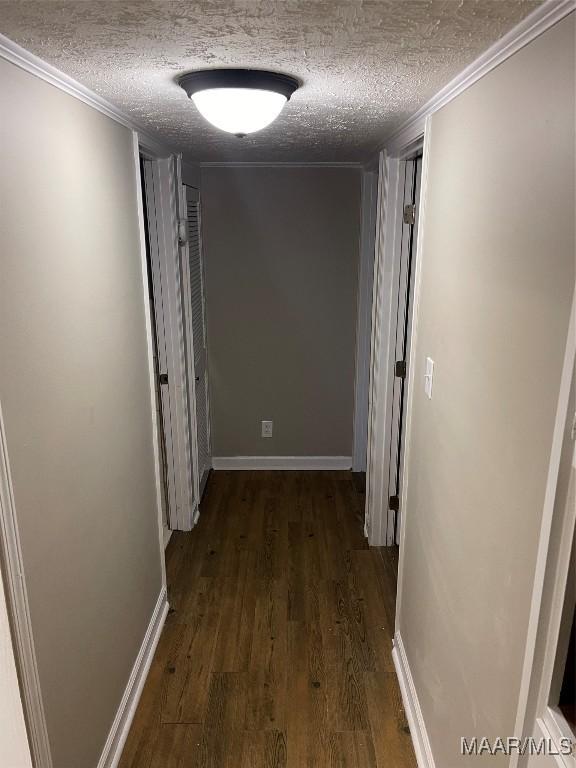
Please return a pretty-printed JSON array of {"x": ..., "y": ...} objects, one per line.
[{"x": 387, "y": 267}]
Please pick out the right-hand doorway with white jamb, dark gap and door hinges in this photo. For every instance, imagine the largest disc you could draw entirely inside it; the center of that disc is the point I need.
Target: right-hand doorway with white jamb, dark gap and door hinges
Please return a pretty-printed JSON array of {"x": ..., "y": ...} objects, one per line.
[{"x": 393, "y": 310}]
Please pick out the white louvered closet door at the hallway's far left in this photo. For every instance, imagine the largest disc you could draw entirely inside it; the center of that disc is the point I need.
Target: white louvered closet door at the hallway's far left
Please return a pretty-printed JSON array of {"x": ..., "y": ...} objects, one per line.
[{"x": 196, "y": 273}]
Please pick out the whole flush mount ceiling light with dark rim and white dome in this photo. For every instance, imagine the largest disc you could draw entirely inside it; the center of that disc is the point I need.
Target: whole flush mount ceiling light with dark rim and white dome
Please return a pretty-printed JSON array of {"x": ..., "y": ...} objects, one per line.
[{"x": 238, "y": 101}]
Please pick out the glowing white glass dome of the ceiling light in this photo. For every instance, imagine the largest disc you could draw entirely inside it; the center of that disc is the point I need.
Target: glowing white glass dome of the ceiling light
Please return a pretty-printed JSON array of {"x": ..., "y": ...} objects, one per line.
[{"x": 239, "y": 110}]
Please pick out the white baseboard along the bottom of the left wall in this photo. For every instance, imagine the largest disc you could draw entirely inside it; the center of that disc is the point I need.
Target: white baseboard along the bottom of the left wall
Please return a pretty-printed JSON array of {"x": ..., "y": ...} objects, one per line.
[{"x": 123, "y": 720}]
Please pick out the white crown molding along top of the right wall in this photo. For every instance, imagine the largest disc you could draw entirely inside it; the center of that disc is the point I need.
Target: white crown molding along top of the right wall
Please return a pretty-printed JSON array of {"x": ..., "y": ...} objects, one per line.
[{"x": 544, "y": 17}]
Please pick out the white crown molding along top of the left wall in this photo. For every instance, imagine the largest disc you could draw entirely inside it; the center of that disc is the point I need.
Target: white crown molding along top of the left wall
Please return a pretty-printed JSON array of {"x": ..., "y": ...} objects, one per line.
[{"x": 29, "y": 62}]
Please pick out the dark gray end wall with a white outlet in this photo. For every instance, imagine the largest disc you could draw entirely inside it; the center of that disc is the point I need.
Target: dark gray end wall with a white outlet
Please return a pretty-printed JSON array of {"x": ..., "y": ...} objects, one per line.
[{"x": 281, "y": 252}]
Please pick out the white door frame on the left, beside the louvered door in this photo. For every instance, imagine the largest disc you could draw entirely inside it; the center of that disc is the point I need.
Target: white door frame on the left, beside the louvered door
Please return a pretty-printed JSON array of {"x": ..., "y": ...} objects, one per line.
[{"x": 161, "y": 178}]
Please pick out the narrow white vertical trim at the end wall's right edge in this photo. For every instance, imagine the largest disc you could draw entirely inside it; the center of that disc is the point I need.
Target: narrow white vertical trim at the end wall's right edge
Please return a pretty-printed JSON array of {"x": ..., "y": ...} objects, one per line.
[{"x": 364, "y": 317}]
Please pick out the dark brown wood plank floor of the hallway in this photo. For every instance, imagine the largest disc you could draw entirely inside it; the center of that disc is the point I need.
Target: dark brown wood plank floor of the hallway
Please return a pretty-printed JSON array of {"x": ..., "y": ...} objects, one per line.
[{"x": 277, "y": 649}]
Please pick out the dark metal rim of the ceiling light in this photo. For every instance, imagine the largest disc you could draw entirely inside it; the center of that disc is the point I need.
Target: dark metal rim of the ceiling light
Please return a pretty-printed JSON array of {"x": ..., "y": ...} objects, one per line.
[{"x": 257, "y": 79}]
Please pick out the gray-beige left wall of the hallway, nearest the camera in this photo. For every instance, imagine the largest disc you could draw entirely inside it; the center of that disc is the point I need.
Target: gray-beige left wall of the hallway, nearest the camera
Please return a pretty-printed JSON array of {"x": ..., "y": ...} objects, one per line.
[{"x": 75, "y": 396}]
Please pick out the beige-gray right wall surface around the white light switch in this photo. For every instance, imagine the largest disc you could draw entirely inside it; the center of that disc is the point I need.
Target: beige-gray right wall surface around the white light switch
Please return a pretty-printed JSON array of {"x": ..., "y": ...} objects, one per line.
[{"x": 498, "y": 255}]
